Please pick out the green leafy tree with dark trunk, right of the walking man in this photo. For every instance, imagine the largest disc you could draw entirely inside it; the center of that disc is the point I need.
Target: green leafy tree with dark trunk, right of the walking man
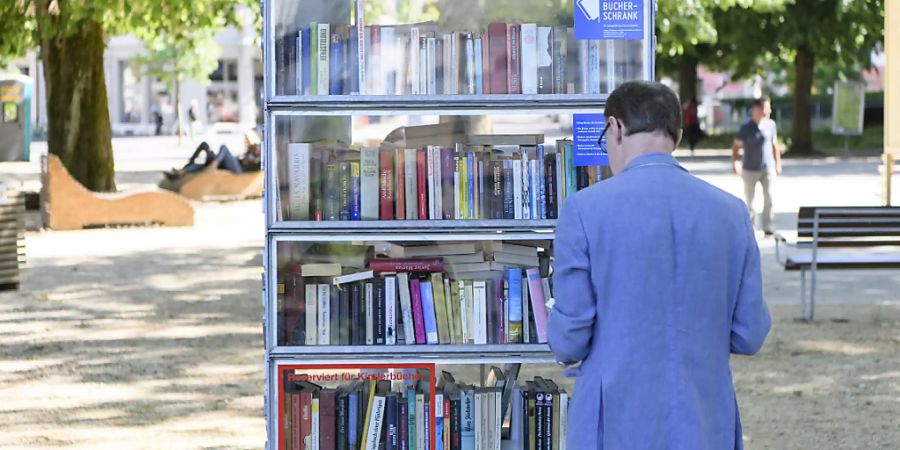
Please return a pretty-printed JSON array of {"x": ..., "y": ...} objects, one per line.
[{"x": 807, "y": 35}]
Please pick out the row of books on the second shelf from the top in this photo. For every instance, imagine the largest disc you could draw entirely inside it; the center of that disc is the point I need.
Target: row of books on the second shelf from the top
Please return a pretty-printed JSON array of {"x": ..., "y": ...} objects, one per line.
[{"x": 523, "y": 182}]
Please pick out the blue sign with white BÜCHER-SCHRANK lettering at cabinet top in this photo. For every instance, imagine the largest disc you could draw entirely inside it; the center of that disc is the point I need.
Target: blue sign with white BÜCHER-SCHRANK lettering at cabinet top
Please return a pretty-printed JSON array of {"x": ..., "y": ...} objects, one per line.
[{"x": 609, "y": 19}]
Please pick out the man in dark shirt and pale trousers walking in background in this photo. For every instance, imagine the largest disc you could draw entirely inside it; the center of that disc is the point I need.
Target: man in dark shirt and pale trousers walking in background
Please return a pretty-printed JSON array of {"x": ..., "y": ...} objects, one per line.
[{"x": 761, "y": 160}]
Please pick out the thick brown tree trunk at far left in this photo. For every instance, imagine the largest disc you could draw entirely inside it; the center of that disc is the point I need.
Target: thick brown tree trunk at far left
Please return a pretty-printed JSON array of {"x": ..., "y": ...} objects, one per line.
[{"x": 78, "y": 126}]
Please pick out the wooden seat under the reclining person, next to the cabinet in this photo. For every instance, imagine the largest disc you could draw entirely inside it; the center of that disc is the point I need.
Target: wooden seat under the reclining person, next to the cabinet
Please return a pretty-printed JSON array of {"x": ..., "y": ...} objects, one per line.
[{"x": 212, "y": 183}]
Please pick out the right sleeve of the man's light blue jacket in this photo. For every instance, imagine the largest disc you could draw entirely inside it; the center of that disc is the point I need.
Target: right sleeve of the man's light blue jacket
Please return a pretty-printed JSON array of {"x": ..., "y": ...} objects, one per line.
[{"x": 750, "y": 321}]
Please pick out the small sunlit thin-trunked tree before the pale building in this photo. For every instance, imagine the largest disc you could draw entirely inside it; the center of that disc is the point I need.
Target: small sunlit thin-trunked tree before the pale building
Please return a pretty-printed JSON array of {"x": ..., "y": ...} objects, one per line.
[{"x": 175, "y": 57}]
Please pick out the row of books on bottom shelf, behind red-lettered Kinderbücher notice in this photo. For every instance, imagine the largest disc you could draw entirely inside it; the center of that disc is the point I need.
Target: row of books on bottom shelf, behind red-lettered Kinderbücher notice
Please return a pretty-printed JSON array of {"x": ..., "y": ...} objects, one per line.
[{"x": 378, "y": 414}]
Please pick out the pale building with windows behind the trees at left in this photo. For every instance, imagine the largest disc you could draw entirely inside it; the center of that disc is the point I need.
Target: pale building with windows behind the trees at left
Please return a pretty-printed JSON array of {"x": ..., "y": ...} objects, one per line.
[{"x": 231, "y": 94}]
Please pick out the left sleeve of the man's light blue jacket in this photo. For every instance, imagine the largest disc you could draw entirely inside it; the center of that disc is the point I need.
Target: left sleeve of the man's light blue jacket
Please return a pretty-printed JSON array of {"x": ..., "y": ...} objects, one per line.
[{"x": 572, "y": 318}]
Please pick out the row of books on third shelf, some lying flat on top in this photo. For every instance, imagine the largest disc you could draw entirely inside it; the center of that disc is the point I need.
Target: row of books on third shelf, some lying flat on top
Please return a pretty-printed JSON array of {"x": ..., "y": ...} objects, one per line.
[{"x": 490, "y": 293}]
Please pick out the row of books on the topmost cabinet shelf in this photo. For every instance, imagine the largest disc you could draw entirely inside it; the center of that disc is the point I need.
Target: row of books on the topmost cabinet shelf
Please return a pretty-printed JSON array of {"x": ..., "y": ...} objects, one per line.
[{"x": 419, "y": 59}]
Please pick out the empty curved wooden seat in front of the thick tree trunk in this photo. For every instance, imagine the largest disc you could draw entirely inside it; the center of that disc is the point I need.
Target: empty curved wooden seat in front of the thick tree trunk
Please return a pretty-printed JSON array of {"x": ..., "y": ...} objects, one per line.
[{"x": 68, "y": 205}]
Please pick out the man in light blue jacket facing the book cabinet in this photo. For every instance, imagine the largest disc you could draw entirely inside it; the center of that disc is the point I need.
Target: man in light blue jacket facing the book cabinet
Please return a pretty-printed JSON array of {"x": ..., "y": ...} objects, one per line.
[{"x": 657, "y": 281}]
